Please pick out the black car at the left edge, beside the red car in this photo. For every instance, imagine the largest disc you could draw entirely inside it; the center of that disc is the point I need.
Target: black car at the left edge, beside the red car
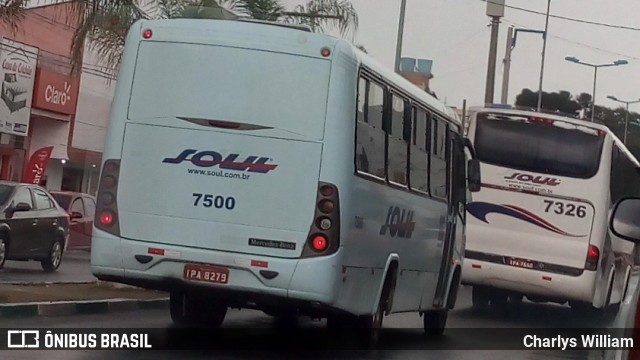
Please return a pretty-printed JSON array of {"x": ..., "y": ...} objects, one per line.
[{"x": 32, "y": 225}]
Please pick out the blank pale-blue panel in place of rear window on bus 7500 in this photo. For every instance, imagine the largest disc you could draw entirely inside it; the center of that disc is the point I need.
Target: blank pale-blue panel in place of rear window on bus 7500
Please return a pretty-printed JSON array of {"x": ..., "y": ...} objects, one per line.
[{"x": 270, "y": 89}]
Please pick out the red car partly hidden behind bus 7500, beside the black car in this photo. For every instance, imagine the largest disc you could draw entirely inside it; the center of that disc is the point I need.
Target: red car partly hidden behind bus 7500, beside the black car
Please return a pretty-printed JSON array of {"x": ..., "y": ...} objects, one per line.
[{"x": 81, "y": 208}]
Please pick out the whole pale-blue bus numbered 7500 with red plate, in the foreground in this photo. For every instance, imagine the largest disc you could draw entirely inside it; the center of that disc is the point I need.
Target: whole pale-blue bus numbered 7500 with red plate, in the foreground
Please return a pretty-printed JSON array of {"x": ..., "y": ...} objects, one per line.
[{"x": 249, "y": 165}]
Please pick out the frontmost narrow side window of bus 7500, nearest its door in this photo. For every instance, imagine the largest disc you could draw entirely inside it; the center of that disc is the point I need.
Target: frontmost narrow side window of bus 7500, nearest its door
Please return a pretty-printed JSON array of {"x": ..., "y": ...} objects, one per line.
[{"x": 438, "y": 166}]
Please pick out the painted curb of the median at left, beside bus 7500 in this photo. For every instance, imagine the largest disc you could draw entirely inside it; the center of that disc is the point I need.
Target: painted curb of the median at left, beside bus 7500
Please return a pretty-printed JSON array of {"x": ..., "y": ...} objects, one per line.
[{"x": 65, "y": 308}]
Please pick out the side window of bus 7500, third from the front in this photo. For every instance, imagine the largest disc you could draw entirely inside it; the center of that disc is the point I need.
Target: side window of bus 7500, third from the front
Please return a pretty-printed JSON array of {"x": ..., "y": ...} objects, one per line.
[{"x": 397, "y": 142}]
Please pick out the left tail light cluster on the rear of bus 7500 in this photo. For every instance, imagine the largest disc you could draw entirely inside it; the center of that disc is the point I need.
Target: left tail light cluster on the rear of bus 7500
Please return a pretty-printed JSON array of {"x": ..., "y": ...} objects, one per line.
[{"x": 106, "y": 217}]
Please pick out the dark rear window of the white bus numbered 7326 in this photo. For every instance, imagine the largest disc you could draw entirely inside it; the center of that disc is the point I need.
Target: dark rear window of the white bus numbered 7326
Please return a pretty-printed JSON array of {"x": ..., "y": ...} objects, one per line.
[{"x": 542, "y": 146}]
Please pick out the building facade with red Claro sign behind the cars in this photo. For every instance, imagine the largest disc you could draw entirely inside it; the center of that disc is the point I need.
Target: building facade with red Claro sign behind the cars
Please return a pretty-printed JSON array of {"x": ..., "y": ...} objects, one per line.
[{"x": 45, "y": 103}]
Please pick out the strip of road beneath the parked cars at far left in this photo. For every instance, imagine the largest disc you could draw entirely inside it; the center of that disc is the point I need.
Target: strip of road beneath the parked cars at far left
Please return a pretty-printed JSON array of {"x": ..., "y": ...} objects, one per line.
[{"x": 75, "y": 267}]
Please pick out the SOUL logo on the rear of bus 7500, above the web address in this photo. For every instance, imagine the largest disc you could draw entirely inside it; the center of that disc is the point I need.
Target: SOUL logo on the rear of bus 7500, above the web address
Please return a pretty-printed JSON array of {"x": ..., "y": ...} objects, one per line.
[{"x": 210, "y": 158}]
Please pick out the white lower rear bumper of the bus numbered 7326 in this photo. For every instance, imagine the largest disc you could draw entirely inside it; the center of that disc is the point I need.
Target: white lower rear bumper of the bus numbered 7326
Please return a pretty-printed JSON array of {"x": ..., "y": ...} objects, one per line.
[{"x": 532, "y": 283}]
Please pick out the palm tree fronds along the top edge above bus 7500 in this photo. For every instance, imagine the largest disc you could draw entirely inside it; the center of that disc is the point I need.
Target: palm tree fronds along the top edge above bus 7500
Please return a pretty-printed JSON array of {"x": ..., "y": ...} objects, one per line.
[{"x": 103, "y": 24}]
